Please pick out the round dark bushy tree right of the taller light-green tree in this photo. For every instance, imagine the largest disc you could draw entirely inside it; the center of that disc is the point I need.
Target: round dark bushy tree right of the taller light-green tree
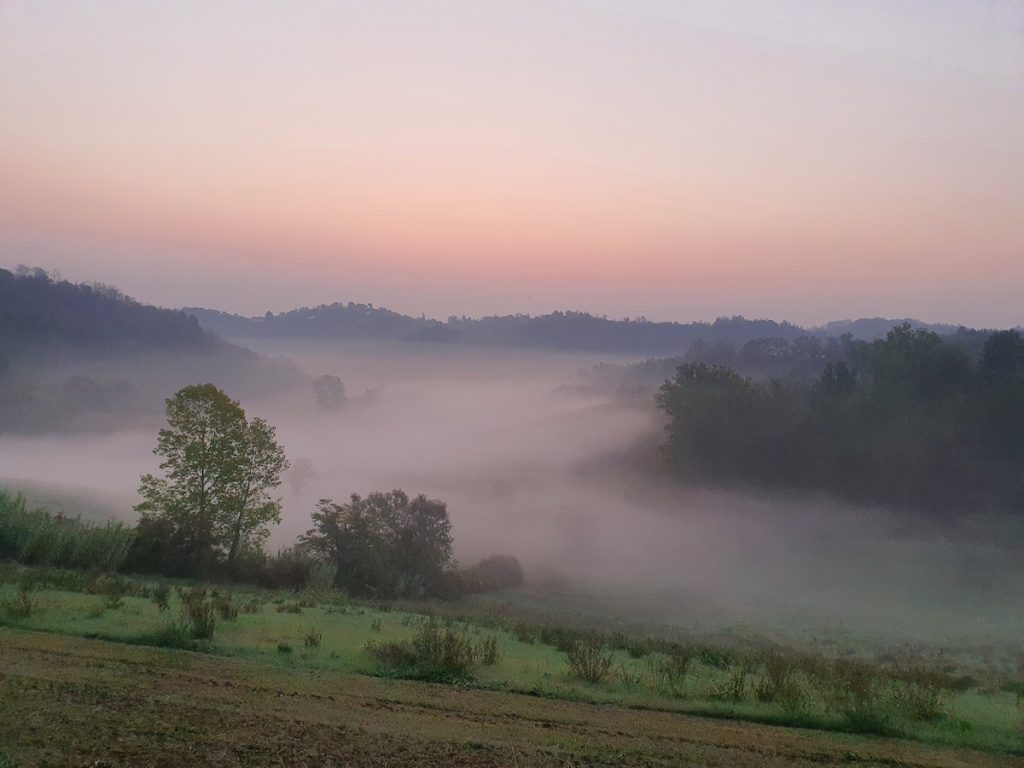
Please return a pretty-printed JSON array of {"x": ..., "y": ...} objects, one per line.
[{"x": 386, "y": 544}]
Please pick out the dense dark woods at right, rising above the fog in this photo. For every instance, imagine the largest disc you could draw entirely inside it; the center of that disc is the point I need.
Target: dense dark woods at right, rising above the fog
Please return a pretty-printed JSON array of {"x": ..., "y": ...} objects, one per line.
[{"x": 911, "y": 420}]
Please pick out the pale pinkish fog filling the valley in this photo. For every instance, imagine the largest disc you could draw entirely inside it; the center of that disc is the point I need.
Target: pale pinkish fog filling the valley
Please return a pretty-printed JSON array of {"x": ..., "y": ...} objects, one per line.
[{"x": 565, "y": 483}]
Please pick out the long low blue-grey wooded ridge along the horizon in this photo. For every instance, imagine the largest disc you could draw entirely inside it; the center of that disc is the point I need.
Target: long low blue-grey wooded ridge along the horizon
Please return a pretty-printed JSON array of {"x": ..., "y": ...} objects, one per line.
[{"x": 568, "y": 331}]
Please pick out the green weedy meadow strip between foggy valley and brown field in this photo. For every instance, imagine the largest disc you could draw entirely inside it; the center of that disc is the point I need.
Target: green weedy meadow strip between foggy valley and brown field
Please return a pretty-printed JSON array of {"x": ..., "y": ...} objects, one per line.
[{"x": 970, "y": 701}]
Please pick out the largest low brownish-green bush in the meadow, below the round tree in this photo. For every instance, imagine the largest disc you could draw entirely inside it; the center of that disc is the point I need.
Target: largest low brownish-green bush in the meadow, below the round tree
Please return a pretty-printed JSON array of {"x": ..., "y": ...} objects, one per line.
[{"x": 434, "y": 655}]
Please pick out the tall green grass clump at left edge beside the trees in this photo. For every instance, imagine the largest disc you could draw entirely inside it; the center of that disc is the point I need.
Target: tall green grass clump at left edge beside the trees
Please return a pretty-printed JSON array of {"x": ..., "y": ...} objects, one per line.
[{"x": 38, "y": 538}]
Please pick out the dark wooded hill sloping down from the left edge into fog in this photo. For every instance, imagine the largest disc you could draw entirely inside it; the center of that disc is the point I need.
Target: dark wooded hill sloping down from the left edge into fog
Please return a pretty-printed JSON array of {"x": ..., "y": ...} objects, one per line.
[{"x": 87, "y": 358}]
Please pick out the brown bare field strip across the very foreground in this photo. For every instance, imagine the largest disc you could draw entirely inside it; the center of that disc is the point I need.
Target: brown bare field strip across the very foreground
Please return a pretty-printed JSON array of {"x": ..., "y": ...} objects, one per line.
[{"x": 87, "y": 703}]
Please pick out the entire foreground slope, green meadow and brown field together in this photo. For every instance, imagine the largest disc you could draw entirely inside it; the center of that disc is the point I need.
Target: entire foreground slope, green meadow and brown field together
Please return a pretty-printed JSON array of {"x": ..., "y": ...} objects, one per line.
[{"x": 306, "y": 672}]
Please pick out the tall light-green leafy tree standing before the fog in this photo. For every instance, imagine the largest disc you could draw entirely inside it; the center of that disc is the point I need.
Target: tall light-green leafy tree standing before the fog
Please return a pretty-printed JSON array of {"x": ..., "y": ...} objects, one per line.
[{"x": 214, "y": 502}]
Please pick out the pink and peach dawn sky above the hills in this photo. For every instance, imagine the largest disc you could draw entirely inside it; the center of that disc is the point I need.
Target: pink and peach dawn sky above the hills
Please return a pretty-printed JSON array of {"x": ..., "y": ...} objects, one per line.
[{"x": 795, "y": 160}]
